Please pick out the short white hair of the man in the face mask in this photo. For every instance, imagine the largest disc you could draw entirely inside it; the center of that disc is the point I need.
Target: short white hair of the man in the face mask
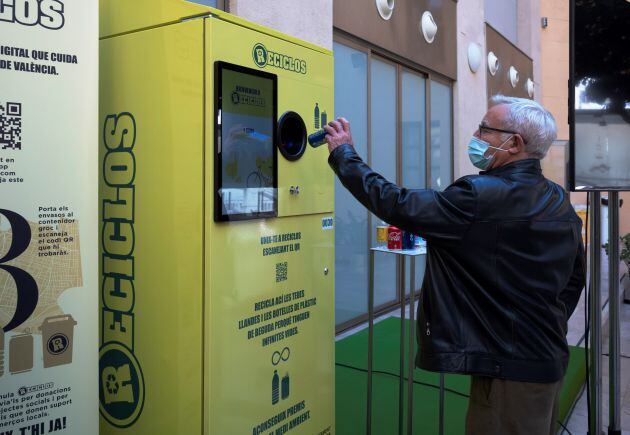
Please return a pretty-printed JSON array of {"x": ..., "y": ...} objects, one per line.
[{"x": 532, "y": 121}]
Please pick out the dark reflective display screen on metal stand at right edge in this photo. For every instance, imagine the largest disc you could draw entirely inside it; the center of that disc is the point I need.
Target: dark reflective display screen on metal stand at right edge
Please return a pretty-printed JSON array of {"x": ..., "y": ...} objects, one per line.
[{"x": 599, "y": 106}]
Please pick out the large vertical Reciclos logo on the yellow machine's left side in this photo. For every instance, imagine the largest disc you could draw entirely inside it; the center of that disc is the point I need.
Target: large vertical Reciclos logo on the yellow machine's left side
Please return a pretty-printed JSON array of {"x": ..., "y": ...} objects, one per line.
[{"x": 121, "y": 383}]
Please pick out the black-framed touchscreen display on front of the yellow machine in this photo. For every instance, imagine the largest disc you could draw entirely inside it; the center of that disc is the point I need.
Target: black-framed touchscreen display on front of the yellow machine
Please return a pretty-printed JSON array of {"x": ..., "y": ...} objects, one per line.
[{"x": 246, "y": 153}]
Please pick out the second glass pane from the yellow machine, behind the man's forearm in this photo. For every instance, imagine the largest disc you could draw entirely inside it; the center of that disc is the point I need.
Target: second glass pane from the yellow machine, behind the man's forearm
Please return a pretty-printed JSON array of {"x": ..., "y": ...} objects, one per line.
[{"x": 383, "y": 123}]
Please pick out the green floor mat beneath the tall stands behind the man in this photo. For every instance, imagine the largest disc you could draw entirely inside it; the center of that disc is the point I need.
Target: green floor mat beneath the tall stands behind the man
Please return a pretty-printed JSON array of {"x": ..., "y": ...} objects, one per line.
[{"x": 351, "y": 387}]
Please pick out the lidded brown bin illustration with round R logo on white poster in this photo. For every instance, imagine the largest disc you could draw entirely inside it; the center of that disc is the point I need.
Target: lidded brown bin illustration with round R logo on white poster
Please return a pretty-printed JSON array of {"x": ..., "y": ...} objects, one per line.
[{"x": 57, "y": 338}]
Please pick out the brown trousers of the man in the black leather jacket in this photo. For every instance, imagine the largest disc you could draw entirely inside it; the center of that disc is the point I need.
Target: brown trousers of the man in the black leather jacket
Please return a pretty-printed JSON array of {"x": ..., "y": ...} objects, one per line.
[{"x": 501, "y": 407}]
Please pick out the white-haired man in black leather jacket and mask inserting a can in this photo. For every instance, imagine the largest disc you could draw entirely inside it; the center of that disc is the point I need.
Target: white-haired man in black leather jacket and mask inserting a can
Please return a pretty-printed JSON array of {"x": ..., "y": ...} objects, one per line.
[{"x": 505, "y": 266}]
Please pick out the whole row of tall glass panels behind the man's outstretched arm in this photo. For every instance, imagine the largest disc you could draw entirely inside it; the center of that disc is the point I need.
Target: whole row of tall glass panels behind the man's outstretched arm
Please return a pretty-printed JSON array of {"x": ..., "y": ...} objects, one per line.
[{"x": 389, "y": 106}]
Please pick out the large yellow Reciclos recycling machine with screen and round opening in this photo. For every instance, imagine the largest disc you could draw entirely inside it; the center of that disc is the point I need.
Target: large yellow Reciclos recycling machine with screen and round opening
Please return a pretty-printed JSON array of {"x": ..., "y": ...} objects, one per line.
[{"x": 217, "y": 239}]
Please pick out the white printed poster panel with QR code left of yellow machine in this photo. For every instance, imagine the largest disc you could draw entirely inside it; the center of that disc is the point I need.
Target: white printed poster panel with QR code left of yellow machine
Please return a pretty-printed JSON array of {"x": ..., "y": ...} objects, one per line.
[{"x": 48, "y": 217}]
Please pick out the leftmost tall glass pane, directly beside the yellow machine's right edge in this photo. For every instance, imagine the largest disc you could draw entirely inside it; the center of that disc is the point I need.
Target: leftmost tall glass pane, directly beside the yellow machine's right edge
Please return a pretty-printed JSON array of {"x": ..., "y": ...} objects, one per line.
[{"x": 351, "y": 230}]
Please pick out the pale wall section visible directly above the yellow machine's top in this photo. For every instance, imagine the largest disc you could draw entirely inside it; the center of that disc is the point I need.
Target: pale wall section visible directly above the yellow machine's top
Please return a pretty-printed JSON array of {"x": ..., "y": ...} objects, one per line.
[{"x": 310, "y": 20}]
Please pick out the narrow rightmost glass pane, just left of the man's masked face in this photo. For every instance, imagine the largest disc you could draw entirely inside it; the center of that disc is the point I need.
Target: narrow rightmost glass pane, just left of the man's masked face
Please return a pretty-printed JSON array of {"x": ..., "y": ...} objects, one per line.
[{"x": 441, "y": 136}]
